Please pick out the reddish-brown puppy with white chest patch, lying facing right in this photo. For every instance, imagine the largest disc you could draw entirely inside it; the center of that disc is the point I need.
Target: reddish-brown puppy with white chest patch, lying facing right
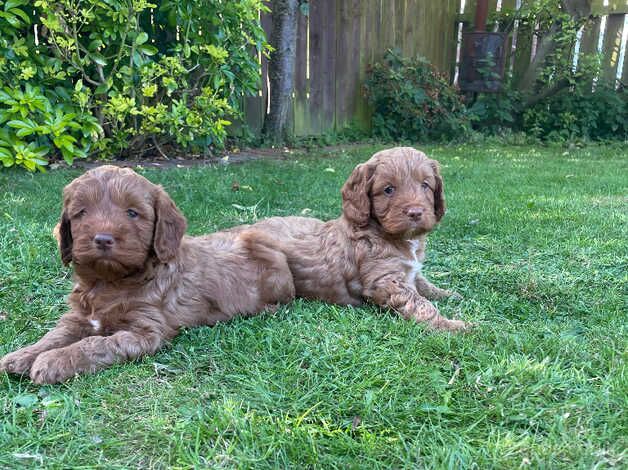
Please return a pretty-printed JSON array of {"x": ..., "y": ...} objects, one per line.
[{"x": 375, "y": 249}]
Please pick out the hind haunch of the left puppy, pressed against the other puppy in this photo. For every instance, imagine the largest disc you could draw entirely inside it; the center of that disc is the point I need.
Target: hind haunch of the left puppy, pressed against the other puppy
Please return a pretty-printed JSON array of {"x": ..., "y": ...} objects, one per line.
[{"x": 277, "y": 282}]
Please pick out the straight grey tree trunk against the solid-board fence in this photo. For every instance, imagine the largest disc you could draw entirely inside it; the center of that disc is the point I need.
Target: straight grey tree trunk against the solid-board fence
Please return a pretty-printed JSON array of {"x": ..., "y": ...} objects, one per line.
[{"x": 281, "y": 69}]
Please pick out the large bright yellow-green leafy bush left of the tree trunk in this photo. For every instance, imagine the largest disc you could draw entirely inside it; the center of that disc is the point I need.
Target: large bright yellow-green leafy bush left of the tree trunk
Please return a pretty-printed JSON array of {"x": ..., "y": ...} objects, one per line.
[{"x": 119, "y": 76}]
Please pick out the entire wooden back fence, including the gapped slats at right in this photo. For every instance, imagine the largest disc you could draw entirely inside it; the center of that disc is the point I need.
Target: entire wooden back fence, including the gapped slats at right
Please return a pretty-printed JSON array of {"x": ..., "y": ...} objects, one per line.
[{"x": 338, "y": 39}]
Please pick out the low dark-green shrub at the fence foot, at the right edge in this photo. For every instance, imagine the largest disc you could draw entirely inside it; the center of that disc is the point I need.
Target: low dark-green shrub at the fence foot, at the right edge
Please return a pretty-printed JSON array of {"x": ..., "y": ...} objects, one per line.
[{"x": 580, "y": 113}]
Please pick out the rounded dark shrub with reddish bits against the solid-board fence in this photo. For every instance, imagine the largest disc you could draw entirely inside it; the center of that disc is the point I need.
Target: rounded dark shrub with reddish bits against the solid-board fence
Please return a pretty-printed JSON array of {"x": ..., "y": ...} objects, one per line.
[{"x": 411, "y": 100}]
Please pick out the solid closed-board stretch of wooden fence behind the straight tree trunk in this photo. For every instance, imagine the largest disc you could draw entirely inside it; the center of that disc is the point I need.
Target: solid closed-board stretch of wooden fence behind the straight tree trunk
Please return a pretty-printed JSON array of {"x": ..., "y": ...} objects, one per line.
[{"x": 336, "y": 42}]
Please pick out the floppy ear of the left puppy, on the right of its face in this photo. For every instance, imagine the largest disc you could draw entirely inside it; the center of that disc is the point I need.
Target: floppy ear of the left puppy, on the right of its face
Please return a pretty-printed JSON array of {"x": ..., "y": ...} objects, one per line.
[{"x": 170, "y": 225}]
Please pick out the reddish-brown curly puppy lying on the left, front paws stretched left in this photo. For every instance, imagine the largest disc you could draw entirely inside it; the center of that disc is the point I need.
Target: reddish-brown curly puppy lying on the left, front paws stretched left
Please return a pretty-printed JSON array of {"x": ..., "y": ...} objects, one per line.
[{"x": 138, "y": 279}]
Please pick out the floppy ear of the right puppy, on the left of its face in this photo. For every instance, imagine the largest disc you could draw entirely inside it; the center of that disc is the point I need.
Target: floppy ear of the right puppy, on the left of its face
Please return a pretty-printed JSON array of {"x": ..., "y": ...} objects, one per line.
[{"x": 356, "y": 203}]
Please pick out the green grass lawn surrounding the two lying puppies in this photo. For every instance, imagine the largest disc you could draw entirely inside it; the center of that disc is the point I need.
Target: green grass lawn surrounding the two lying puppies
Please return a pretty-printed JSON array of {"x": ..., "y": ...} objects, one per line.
[{"x": 535, "y": 239}]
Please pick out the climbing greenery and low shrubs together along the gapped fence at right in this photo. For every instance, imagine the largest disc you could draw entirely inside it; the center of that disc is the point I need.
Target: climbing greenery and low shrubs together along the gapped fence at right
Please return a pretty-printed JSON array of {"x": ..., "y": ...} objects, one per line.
[{"x": 552, "y": 99}]
